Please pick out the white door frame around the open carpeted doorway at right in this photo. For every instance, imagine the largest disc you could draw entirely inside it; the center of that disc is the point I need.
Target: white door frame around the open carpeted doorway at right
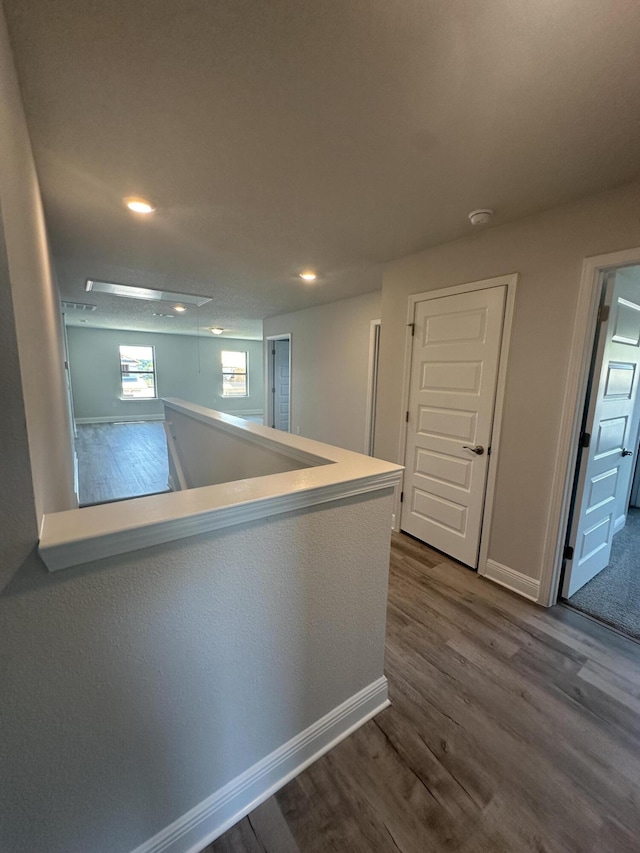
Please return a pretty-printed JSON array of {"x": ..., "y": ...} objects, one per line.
[{"x": 582, "y": 341}]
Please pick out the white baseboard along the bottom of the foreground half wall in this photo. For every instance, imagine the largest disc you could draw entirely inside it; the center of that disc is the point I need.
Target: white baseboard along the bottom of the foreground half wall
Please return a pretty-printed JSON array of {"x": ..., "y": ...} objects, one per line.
[{"x": 212, "y": 817}]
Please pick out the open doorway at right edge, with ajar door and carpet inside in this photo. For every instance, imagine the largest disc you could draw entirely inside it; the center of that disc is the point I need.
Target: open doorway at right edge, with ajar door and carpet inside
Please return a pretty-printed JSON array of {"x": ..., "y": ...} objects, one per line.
[{"x": 600, "y": 574}]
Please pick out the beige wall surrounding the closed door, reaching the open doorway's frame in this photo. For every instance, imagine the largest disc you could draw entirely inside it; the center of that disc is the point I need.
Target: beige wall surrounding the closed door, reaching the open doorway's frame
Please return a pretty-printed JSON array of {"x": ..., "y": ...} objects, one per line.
[{"x": 547, "y": 251}]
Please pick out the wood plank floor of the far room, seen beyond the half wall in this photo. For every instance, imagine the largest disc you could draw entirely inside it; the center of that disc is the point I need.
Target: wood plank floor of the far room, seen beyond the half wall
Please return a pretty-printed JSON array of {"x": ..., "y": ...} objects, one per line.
[{"x": 117, "y": 461}]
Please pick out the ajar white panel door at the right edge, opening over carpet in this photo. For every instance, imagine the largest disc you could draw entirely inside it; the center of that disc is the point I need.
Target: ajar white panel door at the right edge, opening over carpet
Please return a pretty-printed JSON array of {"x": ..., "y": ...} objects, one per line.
[{"x": 607, "y": 466}]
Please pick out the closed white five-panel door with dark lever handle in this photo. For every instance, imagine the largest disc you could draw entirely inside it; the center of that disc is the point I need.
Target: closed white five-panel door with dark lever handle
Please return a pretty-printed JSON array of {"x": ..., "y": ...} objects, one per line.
[{"x": 454, "y": 374}]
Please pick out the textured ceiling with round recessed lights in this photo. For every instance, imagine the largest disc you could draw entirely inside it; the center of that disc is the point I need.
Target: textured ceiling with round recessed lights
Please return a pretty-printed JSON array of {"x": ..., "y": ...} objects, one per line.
[{"x": 275, "y": 135}]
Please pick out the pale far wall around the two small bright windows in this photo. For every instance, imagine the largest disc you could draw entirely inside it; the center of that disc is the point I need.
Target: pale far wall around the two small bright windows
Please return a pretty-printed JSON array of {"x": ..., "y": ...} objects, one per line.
[{"x": 187, "y": 366}]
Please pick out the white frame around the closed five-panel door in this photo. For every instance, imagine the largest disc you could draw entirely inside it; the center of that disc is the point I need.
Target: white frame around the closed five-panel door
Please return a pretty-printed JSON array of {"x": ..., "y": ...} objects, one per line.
[{"x": 510, "y": 281}]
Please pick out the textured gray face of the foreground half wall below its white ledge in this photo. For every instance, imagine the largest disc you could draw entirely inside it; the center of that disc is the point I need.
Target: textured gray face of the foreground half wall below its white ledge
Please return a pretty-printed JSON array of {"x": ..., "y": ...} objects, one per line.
[{"x": 135, "y": 687}]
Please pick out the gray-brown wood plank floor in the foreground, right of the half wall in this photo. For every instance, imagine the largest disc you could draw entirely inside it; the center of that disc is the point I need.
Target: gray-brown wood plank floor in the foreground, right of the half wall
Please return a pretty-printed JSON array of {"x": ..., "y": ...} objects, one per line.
[{"x": 512, "y": 729}]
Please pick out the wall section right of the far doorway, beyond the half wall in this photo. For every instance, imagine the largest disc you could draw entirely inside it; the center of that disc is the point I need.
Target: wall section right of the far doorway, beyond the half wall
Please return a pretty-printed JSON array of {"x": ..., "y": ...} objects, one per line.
[{"x": 329, "y": 368}]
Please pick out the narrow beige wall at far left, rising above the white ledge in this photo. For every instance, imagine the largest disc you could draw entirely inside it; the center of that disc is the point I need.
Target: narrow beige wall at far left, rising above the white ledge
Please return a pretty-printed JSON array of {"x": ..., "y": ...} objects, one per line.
[{"x": 35, "y": 302}]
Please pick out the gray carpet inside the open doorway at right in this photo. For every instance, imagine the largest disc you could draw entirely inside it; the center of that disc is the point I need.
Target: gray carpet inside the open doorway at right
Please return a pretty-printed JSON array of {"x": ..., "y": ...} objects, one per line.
[{"x": 613, "y": 596}]
